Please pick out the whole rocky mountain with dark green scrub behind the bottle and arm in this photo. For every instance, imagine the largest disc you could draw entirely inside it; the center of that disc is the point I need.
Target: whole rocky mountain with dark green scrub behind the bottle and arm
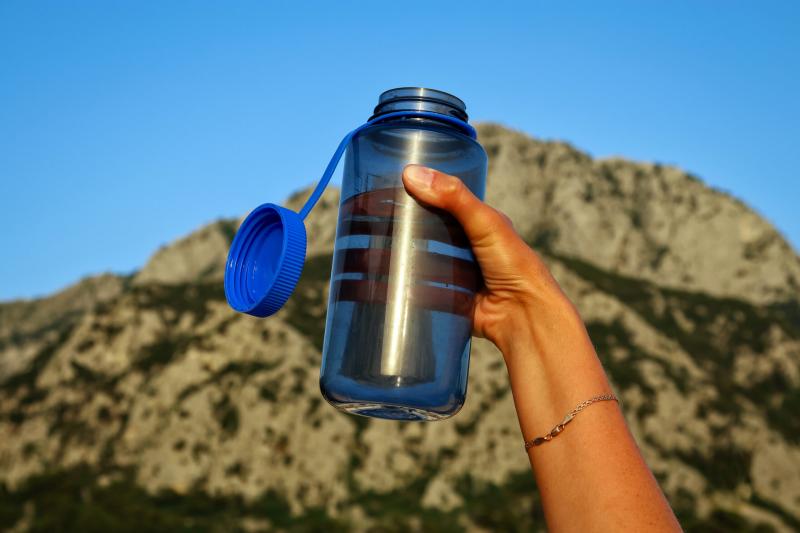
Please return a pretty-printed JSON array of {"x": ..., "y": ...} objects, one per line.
[{"x": 147, "y": 401}]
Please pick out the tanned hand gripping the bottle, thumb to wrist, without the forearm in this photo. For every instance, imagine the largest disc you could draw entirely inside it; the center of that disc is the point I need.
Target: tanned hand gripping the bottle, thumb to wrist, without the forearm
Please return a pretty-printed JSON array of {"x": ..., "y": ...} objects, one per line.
[{"x": 519, "y": 290}]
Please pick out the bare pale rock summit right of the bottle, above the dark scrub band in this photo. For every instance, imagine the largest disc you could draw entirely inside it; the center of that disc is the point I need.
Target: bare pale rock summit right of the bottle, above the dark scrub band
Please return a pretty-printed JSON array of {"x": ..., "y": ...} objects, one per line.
[{"x": 644, "y": 220}]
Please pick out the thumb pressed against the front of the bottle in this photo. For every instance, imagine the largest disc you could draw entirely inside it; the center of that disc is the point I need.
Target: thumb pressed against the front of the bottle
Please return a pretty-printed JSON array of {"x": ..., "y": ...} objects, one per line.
[{"x": 481, "y": 223}]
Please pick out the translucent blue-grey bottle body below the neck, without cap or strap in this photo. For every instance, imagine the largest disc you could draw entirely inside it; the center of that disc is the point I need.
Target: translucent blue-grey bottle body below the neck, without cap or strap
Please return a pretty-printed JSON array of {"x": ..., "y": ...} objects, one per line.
[{"x": 403, "y": 280}]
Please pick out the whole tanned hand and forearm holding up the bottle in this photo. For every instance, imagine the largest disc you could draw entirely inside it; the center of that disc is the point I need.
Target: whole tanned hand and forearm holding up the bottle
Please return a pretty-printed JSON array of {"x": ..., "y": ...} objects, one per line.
[{"x": 592, "y": 477}]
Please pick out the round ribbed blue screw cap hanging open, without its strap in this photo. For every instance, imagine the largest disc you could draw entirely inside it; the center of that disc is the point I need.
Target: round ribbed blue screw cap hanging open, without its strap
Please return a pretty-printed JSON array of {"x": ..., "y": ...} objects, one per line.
[{"x": 265, "y": 260}]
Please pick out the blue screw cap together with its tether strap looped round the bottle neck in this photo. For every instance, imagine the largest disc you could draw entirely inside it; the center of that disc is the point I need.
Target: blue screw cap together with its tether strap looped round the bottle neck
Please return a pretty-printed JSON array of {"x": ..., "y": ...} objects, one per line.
[{"x": 267, "y": 254}]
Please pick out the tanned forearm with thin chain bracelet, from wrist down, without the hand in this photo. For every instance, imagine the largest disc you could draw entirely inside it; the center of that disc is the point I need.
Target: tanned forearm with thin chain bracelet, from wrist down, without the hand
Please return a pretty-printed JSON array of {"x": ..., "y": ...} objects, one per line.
[{"x": 591, "y": 476}]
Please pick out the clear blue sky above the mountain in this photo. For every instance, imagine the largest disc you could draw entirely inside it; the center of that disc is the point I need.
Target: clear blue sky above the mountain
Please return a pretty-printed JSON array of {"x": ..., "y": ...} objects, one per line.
[{"x": 126, "y": 125}]
